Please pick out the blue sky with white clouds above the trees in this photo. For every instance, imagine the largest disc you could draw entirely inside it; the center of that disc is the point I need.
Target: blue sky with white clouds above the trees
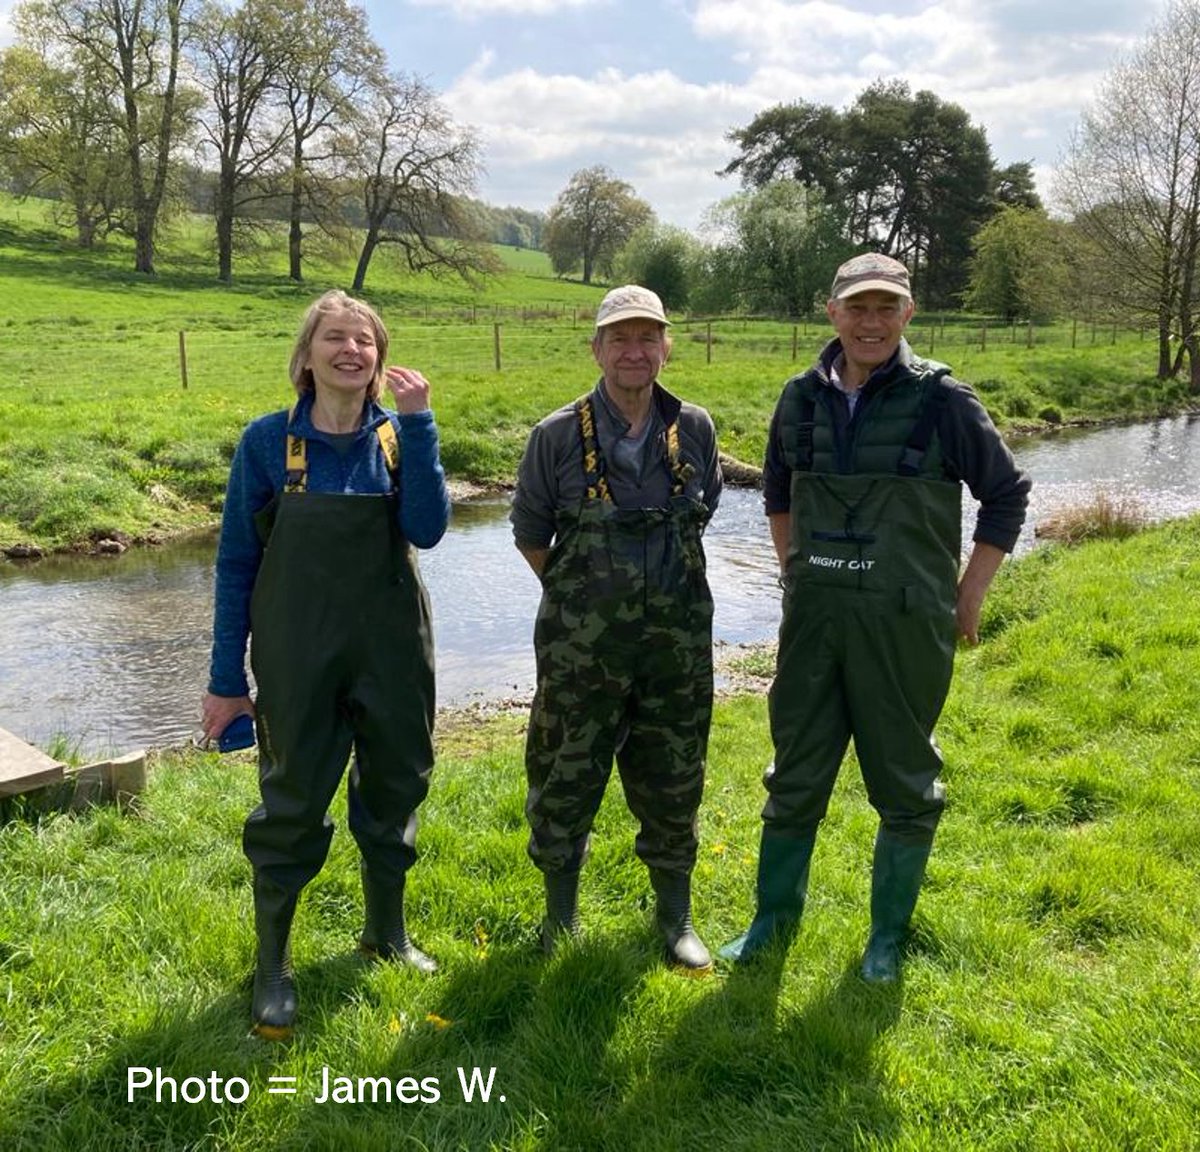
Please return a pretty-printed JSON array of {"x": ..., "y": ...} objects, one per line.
[{"x": 652, "y": 89}]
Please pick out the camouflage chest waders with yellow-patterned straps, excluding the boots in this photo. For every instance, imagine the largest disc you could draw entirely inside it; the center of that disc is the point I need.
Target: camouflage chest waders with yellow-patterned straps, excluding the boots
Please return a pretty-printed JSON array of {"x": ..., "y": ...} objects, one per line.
[{"x": 625, "y": 655}]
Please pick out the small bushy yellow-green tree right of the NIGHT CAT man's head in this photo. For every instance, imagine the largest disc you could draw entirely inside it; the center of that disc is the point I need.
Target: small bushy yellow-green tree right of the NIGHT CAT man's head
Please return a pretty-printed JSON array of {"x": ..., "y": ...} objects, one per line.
[{"x": 1018, "y": 268}]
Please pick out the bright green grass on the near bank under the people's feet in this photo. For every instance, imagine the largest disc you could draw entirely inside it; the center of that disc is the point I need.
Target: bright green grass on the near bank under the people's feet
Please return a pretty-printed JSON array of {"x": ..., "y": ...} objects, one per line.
[{"x": 1051, "y": 999}]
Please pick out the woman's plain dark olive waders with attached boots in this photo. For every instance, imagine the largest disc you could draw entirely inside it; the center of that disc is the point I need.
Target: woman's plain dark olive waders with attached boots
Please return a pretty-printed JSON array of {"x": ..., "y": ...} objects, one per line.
[{"x": 343, "y": 653}]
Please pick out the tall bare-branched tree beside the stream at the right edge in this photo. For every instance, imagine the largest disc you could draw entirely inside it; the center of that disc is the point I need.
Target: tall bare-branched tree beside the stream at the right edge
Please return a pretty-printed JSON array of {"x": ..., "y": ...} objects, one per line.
[{"x": 1132, "y": 179}]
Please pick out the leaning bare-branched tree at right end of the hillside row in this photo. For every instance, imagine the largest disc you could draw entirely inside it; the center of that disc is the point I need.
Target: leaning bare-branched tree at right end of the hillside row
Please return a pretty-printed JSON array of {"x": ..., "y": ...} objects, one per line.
[{"x": 416, "y": 169}]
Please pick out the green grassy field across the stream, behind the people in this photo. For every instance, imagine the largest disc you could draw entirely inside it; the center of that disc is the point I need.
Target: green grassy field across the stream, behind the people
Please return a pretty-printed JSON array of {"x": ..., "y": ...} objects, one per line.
[{"x": 99, "y": 437}]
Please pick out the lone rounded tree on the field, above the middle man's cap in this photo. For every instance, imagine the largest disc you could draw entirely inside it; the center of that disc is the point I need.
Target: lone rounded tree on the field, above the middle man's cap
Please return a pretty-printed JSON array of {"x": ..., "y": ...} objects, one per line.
[{"x": 593, "y": 217}]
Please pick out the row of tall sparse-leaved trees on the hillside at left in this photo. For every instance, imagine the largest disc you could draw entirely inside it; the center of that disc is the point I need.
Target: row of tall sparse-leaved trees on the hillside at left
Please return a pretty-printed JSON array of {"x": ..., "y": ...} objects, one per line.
[{"x": 127, "y": 111}]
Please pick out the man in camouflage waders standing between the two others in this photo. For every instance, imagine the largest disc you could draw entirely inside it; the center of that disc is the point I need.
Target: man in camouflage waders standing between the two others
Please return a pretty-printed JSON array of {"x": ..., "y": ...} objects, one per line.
[{"x": 613, "y": 496}]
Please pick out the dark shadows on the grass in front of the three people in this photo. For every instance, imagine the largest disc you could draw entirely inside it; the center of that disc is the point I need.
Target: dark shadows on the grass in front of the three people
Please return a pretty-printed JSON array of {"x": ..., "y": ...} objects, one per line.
[{"x": 521, "y": 1052}]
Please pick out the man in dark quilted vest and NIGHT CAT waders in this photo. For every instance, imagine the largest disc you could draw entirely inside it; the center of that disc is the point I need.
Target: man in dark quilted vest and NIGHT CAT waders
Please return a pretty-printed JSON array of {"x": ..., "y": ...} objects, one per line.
[{"x": 866, "y": 463}]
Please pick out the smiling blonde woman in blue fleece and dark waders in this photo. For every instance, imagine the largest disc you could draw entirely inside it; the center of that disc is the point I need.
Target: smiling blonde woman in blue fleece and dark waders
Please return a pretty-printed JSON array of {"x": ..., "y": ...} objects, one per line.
[{"x": 325, "y": 506}]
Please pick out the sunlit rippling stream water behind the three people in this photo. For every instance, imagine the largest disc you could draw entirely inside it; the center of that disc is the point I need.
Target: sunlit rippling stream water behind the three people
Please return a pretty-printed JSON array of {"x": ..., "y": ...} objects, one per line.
[{"x": 112, "y": 653}]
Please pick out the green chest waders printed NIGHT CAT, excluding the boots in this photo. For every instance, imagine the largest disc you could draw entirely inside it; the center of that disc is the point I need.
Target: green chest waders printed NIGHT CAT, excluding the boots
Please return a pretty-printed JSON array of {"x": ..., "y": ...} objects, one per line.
[{"x": 866, "y": 646}]
